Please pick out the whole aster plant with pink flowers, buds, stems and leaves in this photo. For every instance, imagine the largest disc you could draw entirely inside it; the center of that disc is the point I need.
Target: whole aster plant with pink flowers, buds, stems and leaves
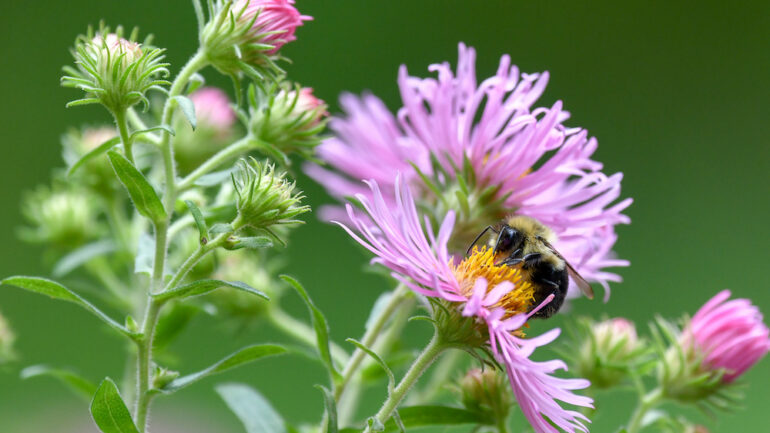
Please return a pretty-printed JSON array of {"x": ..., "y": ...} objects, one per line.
[{"x": 182, "y": 209}]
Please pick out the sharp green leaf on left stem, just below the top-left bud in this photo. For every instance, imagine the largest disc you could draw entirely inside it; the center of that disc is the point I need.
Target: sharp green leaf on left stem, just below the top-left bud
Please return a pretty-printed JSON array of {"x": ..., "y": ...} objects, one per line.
[{"x": 142, "y": 193}]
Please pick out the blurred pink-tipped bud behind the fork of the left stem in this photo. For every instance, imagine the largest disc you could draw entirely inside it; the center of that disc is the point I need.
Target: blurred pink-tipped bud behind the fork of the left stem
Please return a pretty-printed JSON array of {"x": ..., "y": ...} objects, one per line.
[{"x": 215, "y": 129}]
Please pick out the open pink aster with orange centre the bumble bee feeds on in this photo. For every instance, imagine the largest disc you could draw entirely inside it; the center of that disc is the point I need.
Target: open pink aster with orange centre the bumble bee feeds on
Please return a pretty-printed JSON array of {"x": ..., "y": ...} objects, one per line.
[{"x": 492, "y": 295}]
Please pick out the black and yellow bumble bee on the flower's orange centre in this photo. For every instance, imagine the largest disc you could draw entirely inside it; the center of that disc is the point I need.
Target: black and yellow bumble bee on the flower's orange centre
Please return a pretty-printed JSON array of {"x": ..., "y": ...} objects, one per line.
[{"x": 526, "y": 241}]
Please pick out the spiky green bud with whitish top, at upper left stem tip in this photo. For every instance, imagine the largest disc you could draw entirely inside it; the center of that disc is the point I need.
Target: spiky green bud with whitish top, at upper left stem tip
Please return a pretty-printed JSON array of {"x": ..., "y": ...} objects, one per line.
[{"x": 115, "y": 71}]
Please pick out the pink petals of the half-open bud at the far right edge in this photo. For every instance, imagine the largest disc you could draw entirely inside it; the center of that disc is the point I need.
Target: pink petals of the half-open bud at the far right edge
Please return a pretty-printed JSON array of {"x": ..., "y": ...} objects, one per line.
[{"x": 730, "y": 334}]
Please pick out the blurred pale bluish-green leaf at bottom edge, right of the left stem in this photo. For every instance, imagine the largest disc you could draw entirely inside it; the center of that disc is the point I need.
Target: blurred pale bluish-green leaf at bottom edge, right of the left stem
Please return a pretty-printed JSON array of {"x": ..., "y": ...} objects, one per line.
[{"x": 253, "y": 409}]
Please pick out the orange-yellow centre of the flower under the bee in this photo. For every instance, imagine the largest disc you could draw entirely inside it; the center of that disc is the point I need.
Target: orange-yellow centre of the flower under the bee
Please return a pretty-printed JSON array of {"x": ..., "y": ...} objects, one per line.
[{"x": 481, "y": 264}]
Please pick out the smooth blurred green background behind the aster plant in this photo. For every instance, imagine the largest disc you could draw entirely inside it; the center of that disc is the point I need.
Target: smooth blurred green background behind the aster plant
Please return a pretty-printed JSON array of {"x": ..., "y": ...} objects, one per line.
[{"x": 676, "y": 93}]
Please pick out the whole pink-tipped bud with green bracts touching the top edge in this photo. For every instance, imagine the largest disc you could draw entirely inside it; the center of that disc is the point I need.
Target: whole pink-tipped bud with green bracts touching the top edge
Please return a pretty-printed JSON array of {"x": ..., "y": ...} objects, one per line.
[{"x": 245, "y": 36}]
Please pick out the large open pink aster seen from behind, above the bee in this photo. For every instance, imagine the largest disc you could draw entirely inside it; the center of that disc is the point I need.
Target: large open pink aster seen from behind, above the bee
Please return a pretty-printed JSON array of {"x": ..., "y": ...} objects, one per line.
[{"x": 515, "y": 159}]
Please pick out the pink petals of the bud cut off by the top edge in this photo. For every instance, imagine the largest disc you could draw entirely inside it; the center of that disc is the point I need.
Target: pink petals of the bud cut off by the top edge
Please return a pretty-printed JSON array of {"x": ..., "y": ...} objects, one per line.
[{"x": 276, "y": 20}]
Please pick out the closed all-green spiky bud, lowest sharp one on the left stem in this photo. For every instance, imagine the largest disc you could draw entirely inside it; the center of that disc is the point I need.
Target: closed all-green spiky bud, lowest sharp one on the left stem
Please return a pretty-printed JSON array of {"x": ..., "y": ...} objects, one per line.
[{"x": 265, "y": 197}]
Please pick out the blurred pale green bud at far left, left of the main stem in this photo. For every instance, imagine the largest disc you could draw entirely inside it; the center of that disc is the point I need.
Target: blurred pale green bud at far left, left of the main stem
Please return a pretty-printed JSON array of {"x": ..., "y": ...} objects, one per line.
[{"x": 61, "y": 217}]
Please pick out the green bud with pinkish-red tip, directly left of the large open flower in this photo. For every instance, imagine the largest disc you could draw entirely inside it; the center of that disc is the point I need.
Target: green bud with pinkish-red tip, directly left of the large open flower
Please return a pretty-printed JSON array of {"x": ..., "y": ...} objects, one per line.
[{"x": 287, "y": 121}]
